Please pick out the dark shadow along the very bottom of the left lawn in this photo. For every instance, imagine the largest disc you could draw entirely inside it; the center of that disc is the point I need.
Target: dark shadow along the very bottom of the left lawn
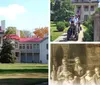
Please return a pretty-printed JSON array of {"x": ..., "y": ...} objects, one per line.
[{"x": 22, "y": 81}]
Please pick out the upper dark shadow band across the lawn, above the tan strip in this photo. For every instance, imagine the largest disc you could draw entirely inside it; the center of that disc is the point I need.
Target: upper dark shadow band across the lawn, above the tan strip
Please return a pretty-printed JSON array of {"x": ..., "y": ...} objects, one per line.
[{"x": 23, "y": 71}]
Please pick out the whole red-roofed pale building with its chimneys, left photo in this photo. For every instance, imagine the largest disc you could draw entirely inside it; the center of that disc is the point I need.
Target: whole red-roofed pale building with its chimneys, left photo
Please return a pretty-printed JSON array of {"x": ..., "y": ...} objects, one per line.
[{"x": 27, "y": 50}]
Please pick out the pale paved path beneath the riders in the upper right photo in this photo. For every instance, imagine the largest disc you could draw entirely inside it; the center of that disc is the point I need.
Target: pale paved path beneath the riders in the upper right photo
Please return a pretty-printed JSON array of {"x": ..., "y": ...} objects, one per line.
[{"x": 63, "y": 37}]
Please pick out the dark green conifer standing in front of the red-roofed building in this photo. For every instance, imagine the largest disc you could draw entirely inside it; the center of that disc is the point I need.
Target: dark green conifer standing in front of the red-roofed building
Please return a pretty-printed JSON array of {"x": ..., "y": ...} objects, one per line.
[{"x": 6, "y": 55}]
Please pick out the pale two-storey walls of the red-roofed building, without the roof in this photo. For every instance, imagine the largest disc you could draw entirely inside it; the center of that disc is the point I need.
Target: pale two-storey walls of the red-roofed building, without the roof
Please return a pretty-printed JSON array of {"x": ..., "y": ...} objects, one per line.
[{"x": 32, "y": 52}]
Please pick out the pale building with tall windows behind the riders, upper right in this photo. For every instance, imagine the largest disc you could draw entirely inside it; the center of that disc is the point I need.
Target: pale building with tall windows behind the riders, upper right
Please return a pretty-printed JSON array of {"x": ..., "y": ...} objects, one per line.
[{"x": 85, "y": 8}]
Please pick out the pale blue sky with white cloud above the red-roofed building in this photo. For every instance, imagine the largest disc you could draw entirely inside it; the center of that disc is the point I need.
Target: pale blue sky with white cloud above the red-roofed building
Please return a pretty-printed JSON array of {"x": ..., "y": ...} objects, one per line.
[{"x": 25, "y": 14}]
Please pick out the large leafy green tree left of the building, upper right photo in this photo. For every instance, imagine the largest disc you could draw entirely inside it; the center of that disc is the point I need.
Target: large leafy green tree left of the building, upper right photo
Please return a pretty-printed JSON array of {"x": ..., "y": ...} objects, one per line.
[{"x": 61, "y": 10}]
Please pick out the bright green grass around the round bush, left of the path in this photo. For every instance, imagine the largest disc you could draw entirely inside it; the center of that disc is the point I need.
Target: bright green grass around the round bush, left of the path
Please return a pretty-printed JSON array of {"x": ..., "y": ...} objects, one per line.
[{"x": 54, "y": 33}]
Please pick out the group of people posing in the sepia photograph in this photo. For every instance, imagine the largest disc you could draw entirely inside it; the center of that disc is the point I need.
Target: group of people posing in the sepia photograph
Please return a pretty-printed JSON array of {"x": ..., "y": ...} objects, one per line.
[{"x": 79, "y": 75}]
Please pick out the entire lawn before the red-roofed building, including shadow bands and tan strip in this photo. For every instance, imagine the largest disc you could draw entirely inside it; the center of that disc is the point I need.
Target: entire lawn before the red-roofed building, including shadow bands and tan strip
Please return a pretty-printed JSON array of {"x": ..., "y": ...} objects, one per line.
[{"x": 23, "y": 74}]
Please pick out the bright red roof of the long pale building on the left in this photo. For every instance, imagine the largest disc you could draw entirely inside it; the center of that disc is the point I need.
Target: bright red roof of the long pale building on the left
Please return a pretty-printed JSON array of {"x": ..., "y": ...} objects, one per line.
[{"x": 16, "y": 37}]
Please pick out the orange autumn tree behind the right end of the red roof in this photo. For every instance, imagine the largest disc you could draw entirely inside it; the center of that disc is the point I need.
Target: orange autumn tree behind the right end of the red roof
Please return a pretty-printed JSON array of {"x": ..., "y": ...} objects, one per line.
[{"x": 41, "y": 32}]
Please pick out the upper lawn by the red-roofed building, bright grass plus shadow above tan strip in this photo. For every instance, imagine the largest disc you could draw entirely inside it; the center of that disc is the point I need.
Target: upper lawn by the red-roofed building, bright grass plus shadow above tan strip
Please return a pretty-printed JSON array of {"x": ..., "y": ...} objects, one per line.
[{"x": 23, "y": 68}]
